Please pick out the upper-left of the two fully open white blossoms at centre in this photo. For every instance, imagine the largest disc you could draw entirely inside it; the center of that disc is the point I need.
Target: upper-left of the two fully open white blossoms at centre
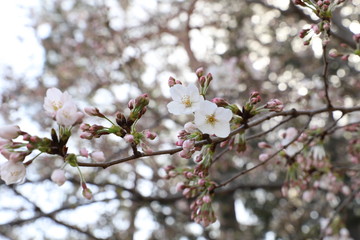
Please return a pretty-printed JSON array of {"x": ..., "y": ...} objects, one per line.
[{"x": 186, "y": 100}]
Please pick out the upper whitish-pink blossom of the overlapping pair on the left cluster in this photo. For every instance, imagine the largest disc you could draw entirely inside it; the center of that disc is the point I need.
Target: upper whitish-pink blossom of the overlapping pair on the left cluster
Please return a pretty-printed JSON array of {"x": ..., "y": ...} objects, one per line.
[{"x": 55, "y": 100}]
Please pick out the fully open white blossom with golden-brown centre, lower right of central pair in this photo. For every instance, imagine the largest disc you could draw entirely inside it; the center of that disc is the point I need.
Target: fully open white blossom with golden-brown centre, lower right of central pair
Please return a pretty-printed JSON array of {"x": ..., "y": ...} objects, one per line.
[{"x": 211, "y": 119}]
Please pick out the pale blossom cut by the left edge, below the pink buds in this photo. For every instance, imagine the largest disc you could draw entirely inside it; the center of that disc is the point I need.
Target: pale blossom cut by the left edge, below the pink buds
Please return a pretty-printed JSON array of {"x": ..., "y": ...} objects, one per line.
[{"x": 12, "y": 172}]
